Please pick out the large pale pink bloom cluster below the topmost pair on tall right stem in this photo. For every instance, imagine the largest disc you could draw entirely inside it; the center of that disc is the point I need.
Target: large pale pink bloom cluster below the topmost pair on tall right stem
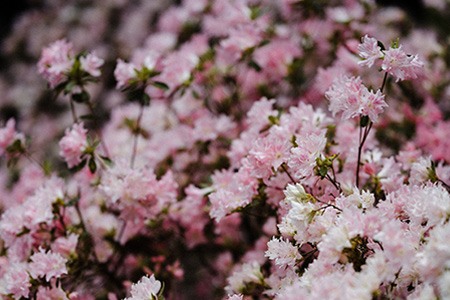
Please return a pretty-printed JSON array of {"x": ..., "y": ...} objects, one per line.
[{"x": 349, "y": 96}]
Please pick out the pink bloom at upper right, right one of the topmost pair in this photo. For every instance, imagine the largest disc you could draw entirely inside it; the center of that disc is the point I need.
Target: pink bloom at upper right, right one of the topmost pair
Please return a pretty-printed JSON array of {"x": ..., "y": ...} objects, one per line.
[{"x": 401, "y": 65}]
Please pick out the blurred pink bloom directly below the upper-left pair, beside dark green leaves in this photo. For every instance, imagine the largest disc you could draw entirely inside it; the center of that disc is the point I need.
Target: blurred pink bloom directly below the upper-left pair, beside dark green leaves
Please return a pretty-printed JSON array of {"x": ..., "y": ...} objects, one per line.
[{"x": 73, "y": 144}]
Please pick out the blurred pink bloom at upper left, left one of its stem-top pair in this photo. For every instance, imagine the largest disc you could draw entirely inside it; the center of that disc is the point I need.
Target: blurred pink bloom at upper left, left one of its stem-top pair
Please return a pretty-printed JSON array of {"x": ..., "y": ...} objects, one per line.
[{"x": 56, "y": 61}]
